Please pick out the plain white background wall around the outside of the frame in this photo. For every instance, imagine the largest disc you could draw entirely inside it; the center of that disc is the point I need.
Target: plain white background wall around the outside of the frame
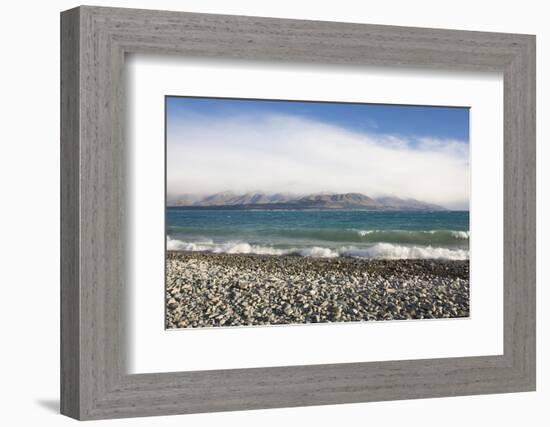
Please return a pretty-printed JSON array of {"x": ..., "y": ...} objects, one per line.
[{"x": 29, "y": 237}]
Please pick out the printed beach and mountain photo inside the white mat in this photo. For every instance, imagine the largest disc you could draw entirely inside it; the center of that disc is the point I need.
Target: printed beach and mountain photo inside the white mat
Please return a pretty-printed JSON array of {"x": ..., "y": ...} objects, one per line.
[{"x": 298, "y": 212}]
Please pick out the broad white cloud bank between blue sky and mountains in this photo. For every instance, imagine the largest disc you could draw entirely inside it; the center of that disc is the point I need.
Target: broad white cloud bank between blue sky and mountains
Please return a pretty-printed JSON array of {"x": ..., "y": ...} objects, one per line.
[{"x": 279, "y": 153}]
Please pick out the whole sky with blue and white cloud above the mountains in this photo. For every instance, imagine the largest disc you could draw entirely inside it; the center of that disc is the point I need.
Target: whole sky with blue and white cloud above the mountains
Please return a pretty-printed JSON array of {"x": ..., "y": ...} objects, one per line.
[{"x": 216, "y": 144}]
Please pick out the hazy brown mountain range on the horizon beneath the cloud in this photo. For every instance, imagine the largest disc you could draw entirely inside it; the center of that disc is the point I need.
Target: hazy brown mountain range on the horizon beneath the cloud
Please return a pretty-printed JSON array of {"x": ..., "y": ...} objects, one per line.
[{"x": 260, "y": 200}]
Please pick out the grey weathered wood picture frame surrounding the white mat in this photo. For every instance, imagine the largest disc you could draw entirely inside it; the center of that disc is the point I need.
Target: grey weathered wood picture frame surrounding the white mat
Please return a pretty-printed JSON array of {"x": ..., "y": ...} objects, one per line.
[{"x": 94, "y": 41}]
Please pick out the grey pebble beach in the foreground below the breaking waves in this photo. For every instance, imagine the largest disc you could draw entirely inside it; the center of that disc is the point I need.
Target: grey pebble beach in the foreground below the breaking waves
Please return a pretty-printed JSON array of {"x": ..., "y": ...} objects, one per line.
[{"x": 207, "y": 289}]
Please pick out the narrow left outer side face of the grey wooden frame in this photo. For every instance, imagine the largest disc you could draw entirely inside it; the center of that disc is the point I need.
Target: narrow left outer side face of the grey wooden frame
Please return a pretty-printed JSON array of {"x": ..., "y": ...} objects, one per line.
[{"x": 70, "y": 291}]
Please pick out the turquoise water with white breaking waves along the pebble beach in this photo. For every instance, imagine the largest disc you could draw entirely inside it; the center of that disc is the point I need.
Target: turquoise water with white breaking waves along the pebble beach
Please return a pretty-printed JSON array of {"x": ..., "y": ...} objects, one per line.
[{"x": 371, "y": 234}]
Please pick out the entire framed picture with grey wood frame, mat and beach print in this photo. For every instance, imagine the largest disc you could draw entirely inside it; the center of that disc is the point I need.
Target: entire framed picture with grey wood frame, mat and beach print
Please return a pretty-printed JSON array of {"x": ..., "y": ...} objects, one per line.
[{"x": 262, "y": 213}]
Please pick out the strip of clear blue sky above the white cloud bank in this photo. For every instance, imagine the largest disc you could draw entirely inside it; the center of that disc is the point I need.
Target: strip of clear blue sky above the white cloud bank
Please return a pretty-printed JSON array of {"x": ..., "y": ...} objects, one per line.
[{"x": 396, "y": 120}]
